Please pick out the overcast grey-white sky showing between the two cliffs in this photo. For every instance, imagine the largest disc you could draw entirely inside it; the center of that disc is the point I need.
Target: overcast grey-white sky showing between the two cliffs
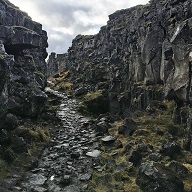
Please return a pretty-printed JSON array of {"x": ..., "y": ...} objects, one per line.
[{"x": 64, "y": 19}]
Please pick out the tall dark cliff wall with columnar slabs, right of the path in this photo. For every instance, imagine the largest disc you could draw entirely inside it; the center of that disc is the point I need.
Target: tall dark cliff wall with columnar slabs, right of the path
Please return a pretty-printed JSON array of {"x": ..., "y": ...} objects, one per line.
[{"x": 142, "y": 54}]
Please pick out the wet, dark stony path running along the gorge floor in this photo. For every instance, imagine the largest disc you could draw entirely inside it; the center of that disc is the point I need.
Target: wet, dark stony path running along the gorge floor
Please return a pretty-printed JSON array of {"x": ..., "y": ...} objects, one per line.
[{"x": 64, "y": 165}]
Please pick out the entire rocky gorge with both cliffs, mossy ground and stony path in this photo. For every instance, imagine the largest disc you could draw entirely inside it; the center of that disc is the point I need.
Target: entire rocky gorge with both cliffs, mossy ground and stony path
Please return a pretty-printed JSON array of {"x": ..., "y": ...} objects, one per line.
[{"x": 133, "y": 78}]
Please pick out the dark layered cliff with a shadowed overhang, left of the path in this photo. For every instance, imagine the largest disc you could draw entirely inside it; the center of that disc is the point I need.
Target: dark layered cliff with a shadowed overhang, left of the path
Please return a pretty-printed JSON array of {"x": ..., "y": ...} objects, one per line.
[{"x": 22, "y": 64}]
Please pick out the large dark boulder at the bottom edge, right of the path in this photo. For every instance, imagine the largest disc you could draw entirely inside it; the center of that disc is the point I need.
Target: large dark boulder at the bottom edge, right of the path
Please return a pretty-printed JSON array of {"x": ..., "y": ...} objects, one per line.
[{"x": 155, "y": 177}]
